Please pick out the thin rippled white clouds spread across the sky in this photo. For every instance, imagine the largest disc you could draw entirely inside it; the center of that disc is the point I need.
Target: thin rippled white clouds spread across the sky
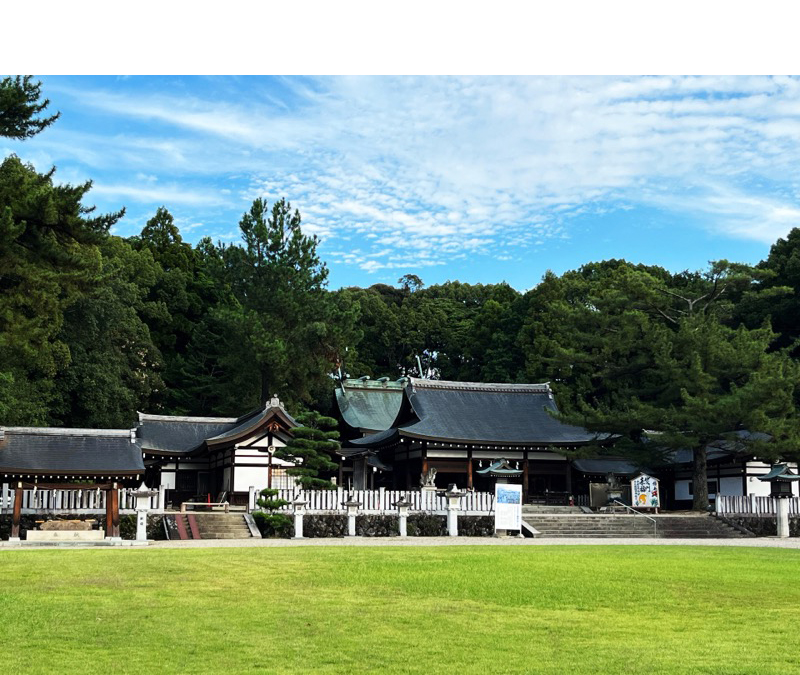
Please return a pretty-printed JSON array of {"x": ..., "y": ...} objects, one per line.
[{"x": 436, "y": 167}]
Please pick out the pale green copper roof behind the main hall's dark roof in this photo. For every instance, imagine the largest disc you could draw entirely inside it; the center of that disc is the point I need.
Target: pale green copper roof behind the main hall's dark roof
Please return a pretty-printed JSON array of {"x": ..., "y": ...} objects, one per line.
[{"x": 369, "y": 405}]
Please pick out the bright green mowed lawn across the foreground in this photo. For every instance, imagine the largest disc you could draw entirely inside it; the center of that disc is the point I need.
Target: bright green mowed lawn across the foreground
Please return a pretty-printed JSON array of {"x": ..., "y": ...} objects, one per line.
[{"x": 559, "y": 609}]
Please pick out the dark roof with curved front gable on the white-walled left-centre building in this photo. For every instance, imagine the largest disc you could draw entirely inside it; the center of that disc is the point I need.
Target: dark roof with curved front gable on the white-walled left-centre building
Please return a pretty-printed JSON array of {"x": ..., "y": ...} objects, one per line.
[{"x": 175, "y": 435}]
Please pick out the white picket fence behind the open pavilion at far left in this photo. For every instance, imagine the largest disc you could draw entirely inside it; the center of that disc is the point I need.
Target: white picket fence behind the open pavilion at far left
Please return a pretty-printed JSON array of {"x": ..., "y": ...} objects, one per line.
[{"x": 73, "y": 501}]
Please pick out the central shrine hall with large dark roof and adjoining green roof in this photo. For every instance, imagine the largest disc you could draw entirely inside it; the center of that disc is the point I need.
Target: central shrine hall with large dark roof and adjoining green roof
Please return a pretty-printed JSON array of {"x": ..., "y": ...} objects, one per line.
[{"x": 458, "y": 428}]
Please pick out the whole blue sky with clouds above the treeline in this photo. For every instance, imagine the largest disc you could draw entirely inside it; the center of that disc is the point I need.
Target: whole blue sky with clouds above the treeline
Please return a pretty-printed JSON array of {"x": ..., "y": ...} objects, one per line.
[{"x": 480, "y": 179}]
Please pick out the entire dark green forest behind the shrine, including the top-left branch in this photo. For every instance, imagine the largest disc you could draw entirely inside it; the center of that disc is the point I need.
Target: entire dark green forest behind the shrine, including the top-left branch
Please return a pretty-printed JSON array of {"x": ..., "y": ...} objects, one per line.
[{"x": 94, "y": 327}]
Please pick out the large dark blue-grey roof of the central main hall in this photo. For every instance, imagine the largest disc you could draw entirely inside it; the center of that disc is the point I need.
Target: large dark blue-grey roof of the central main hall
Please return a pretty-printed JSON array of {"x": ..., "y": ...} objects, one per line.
[{"x": 477, "y": 412}]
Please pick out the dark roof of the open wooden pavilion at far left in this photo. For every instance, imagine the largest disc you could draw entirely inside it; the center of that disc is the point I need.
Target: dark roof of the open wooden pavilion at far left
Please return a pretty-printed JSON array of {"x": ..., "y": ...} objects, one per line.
[{"x": 69, "y": 452}]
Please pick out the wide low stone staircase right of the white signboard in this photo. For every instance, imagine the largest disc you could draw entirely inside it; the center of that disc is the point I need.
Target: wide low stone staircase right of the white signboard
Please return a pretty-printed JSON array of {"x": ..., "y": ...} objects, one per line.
[{"x": 629, "y": 526}]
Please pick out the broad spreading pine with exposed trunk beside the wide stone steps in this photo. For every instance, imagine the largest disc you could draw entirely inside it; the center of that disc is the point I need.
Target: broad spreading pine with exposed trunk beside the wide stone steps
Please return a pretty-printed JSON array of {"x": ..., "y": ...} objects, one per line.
[{"x": 644, "y": 351}]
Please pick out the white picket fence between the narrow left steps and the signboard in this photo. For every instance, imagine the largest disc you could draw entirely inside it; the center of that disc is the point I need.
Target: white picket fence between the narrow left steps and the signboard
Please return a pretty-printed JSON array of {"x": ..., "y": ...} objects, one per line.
[{"x": 381, "y": 501}]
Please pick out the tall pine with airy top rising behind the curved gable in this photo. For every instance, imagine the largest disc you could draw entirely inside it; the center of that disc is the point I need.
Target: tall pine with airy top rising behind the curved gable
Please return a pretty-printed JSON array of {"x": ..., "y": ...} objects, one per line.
[{"x": 285, "y": 327}]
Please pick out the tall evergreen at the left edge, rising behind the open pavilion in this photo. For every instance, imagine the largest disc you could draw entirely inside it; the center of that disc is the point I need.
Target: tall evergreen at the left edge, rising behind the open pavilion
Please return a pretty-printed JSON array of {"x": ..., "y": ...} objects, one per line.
[{"x": 49, "y": 256}]
